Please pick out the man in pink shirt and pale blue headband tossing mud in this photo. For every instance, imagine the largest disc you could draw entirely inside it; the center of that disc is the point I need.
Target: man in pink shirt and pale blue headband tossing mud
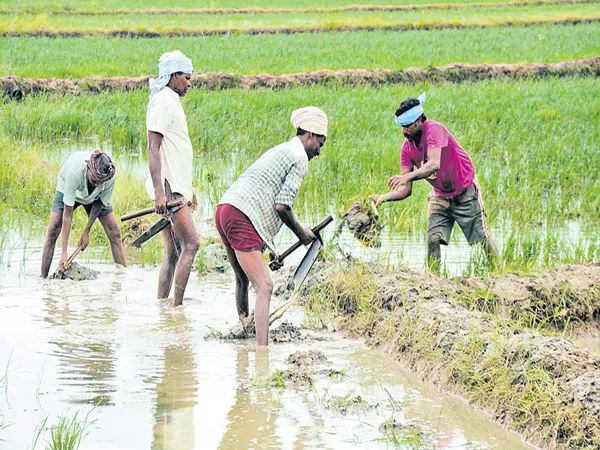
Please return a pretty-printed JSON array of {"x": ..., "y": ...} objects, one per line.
[{"x": 431, "y": 153}]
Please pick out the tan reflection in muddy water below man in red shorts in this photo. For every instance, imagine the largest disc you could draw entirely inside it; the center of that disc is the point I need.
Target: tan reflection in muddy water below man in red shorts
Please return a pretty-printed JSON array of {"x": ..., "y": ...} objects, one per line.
[{"x": 251, "y": 420}]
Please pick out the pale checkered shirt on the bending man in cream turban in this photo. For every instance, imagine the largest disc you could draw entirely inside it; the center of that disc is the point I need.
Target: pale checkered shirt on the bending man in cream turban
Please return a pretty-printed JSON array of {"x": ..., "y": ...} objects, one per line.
[{"x": 274, "y": 178}]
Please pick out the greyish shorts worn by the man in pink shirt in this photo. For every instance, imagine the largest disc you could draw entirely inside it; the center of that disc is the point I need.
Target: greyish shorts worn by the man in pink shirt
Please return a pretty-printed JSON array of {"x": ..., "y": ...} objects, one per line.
[{"x": 466, "y": 209}]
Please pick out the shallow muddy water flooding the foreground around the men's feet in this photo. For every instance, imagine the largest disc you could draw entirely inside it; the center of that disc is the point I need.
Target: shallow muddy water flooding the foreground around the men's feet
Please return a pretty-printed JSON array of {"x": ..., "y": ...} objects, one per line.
[{"x": 157, "y": 383}]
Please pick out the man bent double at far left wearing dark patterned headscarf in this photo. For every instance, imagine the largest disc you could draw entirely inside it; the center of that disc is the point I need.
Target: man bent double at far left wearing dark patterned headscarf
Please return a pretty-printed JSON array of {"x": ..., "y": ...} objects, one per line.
[{"x": 86, "y": 179}]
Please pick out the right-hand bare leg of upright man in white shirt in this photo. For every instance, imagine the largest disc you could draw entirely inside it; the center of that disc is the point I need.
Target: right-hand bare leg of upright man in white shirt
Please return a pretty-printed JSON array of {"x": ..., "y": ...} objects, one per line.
[{"x": 185, "y": 231}]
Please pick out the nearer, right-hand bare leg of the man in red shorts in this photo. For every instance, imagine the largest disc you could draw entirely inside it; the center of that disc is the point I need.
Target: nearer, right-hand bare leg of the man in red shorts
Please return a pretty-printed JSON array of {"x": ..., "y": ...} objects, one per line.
[{"x": 255, "y": 268}]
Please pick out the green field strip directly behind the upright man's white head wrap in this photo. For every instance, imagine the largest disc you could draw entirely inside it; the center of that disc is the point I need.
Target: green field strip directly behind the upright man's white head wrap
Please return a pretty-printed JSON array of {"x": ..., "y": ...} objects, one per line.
[{"x": 83, "y": 57}]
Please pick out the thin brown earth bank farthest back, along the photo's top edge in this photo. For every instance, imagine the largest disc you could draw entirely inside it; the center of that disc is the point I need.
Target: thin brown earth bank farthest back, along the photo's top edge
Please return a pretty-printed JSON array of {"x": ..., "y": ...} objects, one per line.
[{"x": 352, "y": 8}]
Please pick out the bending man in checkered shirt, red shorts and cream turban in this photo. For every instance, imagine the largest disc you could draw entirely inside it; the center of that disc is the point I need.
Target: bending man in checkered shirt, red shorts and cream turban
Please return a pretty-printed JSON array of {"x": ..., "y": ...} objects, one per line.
[{"x": 253, "y": 209}]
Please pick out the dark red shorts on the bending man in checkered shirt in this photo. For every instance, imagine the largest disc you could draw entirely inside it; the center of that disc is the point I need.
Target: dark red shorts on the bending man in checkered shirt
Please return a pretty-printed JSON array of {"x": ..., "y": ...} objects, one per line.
[{"x": 236, "y": 230}]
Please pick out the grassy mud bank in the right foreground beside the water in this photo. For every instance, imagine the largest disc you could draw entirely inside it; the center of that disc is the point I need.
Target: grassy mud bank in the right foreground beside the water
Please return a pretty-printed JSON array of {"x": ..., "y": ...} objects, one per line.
[{"x": 539, "y": 384}]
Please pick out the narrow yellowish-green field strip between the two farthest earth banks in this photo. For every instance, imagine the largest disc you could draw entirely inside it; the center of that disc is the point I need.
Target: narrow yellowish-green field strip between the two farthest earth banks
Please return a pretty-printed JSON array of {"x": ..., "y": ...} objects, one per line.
[{"x": 192, "y": 24}]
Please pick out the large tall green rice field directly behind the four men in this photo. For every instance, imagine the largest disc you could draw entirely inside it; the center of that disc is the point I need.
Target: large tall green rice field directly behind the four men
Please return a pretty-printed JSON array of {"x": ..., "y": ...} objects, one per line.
[{"x": 526, "y": 142}]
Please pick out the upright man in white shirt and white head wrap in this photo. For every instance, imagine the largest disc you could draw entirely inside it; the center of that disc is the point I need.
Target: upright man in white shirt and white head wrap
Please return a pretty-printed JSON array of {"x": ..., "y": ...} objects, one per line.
[{"x": 170, "y": 157}]
